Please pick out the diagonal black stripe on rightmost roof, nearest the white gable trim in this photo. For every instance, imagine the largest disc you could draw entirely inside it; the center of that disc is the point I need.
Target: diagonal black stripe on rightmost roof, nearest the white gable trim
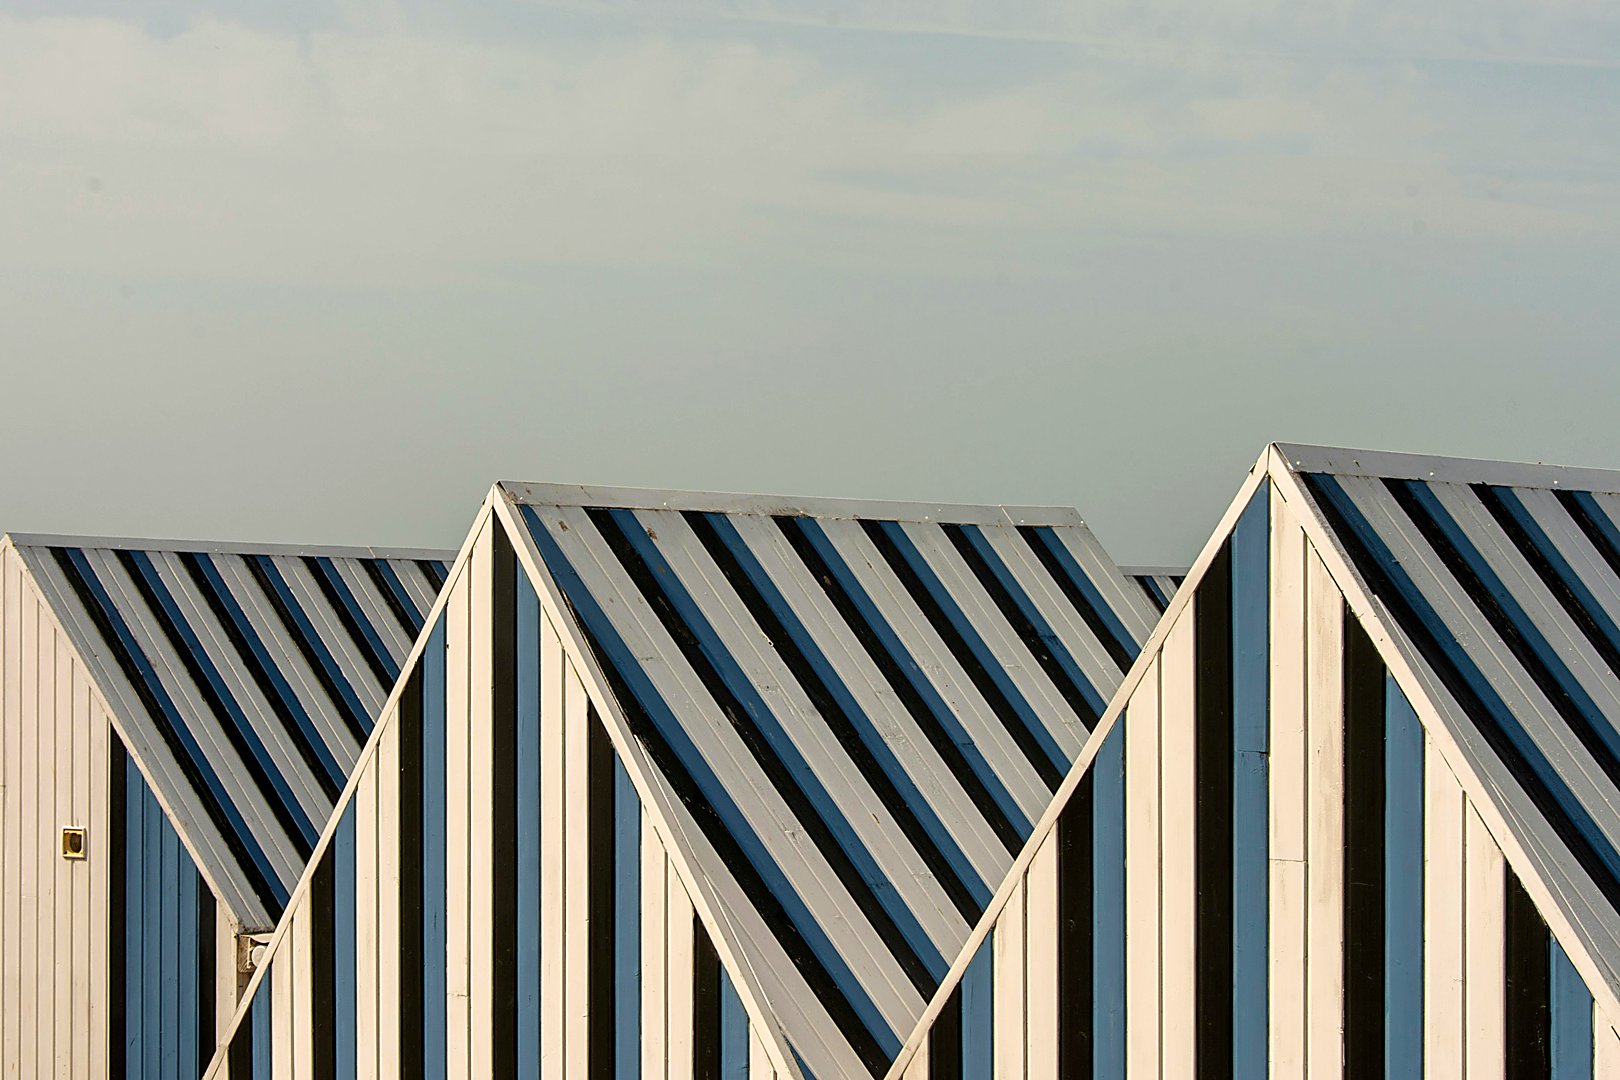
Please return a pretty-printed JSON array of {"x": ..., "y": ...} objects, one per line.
[{"x": 1457, "y": 684}]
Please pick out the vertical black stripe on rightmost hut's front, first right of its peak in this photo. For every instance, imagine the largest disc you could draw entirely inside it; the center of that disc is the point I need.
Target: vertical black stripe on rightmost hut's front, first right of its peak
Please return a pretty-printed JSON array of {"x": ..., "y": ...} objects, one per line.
[{"x": 1365, "y": 865}]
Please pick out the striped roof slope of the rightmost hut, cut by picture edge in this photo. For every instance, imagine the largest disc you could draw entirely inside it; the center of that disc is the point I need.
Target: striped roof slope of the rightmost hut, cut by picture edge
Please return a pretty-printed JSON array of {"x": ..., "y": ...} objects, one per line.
[{"x": 1503, "y": 584}]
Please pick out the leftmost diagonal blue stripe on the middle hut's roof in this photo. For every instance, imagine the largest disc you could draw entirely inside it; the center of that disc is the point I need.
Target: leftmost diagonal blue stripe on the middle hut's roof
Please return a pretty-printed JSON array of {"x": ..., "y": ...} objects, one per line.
[{"x": 620, "y": 657}]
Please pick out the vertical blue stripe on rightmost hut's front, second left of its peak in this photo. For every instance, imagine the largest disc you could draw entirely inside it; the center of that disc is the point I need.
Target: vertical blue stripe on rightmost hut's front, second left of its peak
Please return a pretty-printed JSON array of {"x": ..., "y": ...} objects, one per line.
[{"x": 1109, "y": 906}]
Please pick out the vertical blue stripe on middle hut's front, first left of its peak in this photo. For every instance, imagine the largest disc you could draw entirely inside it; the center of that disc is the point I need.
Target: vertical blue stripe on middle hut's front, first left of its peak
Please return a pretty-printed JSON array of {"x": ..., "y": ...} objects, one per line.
[{"x": 433, "y": 856}]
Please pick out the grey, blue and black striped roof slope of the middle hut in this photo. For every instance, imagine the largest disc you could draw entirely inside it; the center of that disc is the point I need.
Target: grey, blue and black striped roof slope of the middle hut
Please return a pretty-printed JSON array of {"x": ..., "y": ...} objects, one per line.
[{"x": 863, "y": 708}]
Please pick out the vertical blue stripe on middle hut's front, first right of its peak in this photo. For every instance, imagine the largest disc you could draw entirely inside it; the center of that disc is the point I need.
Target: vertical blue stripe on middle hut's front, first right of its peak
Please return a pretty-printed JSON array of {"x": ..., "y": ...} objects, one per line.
[{"x": 529, "y": 946}]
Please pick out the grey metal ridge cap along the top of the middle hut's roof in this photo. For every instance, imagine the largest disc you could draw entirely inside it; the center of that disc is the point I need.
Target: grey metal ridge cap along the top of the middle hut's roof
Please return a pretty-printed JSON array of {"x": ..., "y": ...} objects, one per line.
[{"x": 735, "y": 503}]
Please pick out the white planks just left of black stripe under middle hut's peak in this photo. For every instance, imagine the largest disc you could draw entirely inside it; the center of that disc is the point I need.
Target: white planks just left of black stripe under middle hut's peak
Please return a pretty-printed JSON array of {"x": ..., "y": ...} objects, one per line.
[{"x": 458, "y": 819}]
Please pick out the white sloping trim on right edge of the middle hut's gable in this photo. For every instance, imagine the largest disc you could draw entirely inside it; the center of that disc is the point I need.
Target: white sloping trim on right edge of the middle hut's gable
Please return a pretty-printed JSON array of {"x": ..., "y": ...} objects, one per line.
[{"x": 655, "y": 797}]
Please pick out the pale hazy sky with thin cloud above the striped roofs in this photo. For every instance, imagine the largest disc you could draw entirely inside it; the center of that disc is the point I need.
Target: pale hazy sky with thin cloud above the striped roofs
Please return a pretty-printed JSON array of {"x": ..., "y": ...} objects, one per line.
[{"x": 322, "y": 273}]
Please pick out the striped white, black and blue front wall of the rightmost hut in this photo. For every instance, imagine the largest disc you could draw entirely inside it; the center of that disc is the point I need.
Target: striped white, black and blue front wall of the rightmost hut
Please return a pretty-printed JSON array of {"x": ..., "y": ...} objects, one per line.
[{"x": 1305, "y": 888}]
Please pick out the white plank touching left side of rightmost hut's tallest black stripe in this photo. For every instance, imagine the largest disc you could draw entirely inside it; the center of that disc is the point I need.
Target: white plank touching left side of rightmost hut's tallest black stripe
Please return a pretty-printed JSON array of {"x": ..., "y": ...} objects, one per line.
[{"x": 1179, "y": 822}]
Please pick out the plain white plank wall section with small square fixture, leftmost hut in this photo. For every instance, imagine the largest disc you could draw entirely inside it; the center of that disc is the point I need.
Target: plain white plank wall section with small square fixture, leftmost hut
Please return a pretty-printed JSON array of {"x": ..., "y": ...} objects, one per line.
[{"x": 53, "y": 911}]
